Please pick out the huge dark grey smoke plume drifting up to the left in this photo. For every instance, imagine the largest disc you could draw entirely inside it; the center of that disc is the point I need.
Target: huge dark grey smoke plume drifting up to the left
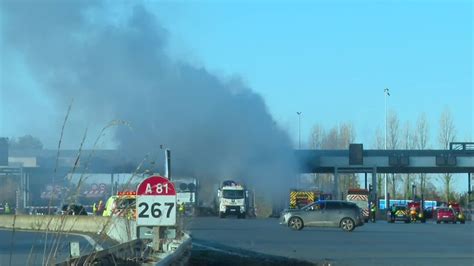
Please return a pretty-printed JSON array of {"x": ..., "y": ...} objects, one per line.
[{"x": 118, "y": 68}]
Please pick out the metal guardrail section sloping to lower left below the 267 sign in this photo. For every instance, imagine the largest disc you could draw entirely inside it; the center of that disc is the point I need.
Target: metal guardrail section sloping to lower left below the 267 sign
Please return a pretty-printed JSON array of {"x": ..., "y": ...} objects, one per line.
[{"x": 129, "y": 252}]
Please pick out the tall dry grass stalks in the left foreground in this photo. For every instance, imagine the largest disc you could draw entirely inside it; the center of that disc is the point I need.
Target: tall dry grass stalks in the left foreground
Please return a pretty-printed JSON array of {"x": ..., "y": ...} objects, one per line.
[{"x": 54, "y": 231}]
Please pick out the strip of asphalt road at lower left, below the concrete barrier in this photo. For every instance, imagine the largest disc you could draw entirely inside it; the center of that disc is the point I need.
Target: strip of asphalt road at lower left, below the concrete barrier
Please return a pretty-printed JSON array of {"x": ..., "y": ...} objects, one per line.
[{"x": 27, "y": 248}]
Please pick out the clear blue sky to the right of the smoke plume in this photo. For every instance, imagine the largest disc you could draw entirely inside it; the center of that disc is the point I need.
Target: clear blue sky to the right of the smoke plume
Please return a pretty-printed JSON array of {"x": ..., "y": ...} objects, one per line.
[{"x": 332, "y": 59}]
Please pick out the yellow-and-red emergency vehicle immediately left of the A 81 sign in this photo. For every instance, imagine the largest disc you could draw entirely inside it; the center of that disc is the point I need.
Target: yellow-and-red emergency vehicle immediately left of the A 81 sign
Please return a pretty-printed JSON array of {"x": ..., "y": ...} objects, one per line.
[{"x": 122, "y": 205}]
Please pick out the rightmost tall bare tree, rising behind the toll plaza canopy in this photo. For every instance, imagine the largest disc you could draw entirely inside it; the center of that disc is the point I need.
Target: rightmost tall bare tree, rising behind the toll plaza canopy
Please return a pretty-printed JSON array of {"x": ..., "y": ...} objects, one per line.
[{"x": 447, "y": 134}]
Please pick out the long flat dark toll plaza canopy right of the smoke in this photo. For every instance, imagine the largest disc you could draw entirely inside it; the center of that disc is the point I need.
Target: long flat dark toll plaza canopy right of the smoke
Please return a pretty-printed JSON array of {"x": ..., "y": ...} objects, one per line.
[{"x": 458, "y": 159}]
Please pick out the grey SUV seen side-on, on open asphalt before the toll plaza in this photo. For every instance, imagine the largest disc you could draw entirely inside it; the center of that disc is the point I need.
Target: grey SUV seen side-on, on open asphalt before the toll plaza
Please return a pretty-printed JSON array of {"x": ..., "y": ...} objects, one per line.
[{"x": 327, "y": 213}]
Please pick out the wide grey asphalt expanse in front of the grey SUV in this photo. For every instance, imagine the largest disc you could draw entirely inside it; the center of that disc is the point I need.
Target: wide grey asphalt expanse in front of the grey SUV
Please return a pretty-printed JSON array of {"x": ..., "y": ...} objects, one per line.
[{"x": 372, "y": 244}]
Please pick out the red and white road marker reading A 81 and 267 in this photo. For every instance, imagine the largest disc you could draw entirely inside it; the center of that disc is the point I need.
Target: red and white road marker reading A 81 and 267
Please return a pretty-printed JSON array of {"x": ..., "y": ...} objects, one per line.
[{"x": 156, "y": 202}]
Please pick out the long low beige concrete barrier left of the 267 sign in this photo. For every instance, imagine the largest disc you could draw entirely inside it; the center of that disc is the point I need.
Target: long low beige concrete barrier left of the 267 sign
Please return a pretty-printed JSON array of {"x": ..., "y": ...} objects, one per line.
[{"x": 117, "y": 228}]
